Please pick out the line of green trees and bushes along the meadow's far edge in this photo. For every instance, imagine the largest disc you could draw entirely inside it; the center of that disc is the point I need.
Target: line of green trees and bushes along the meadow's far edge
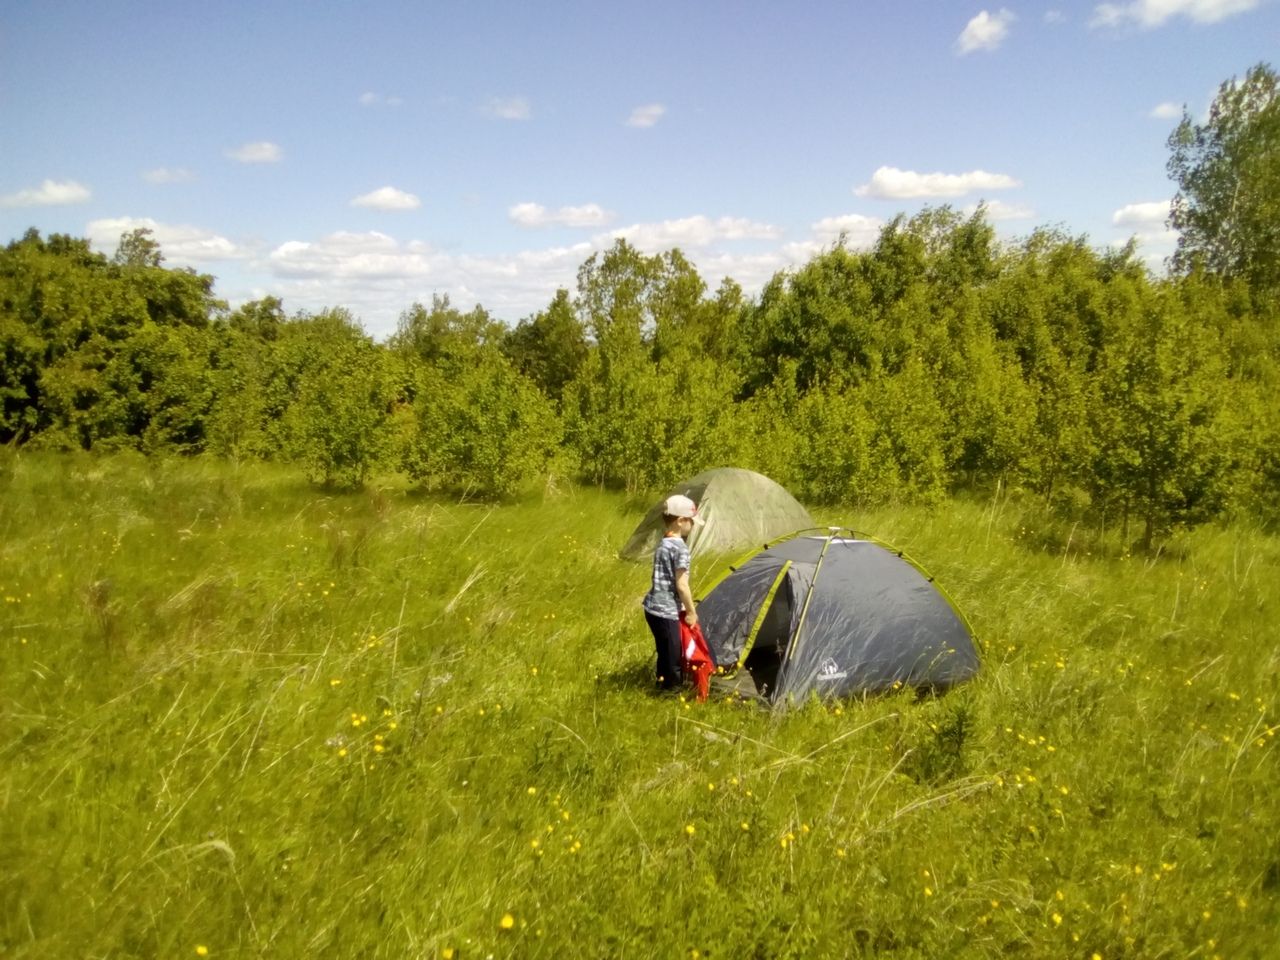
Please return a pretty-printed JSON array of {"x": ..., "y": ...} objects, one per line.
[{"x": 938, "y": 360}]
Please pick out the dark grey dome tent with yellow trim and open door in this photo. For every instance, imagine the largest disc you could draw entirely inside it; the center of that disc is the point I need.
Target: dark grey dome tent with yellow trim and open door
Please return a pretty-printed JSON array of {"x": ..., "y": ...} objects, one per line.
[{"x": 833, "y": 614}]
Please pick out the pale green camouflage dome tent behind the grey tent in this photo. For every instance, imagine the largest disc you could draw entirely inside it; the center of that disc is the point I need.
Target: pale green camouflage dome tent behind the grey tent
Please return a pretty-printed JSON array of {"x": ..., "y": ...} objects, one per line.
[{"x": 740, "y": 509}]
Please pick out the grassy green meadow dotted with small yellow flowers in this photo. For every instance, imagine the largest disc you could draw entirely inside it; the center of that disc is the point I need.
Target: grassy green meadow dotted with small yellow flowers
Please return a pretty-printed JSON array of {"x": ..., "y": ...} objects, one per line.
[{"x": 241, "y": 717}]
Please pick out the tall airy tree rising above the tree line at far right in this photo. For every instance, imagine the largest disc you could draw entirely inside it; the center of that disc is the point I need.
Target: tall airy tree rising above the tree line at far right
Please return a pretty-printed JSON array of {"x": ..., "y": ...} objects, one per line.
[{"x": 1228, "y": 175}]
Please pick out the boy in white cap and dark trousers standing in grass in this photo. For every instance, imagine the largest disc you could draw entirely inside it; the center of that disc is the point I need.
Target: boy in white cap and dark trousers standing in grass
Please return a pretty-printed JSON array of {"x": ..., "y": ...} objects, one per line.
[{"x": 670, "y": 592}]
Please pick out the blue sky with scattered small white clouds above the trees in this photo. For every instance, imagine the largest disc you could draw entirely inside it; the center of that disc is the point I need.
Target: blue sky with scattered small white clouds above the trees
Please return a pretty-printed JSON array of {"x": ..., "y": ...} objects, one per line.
[{"x": 371, "y": 156}]
